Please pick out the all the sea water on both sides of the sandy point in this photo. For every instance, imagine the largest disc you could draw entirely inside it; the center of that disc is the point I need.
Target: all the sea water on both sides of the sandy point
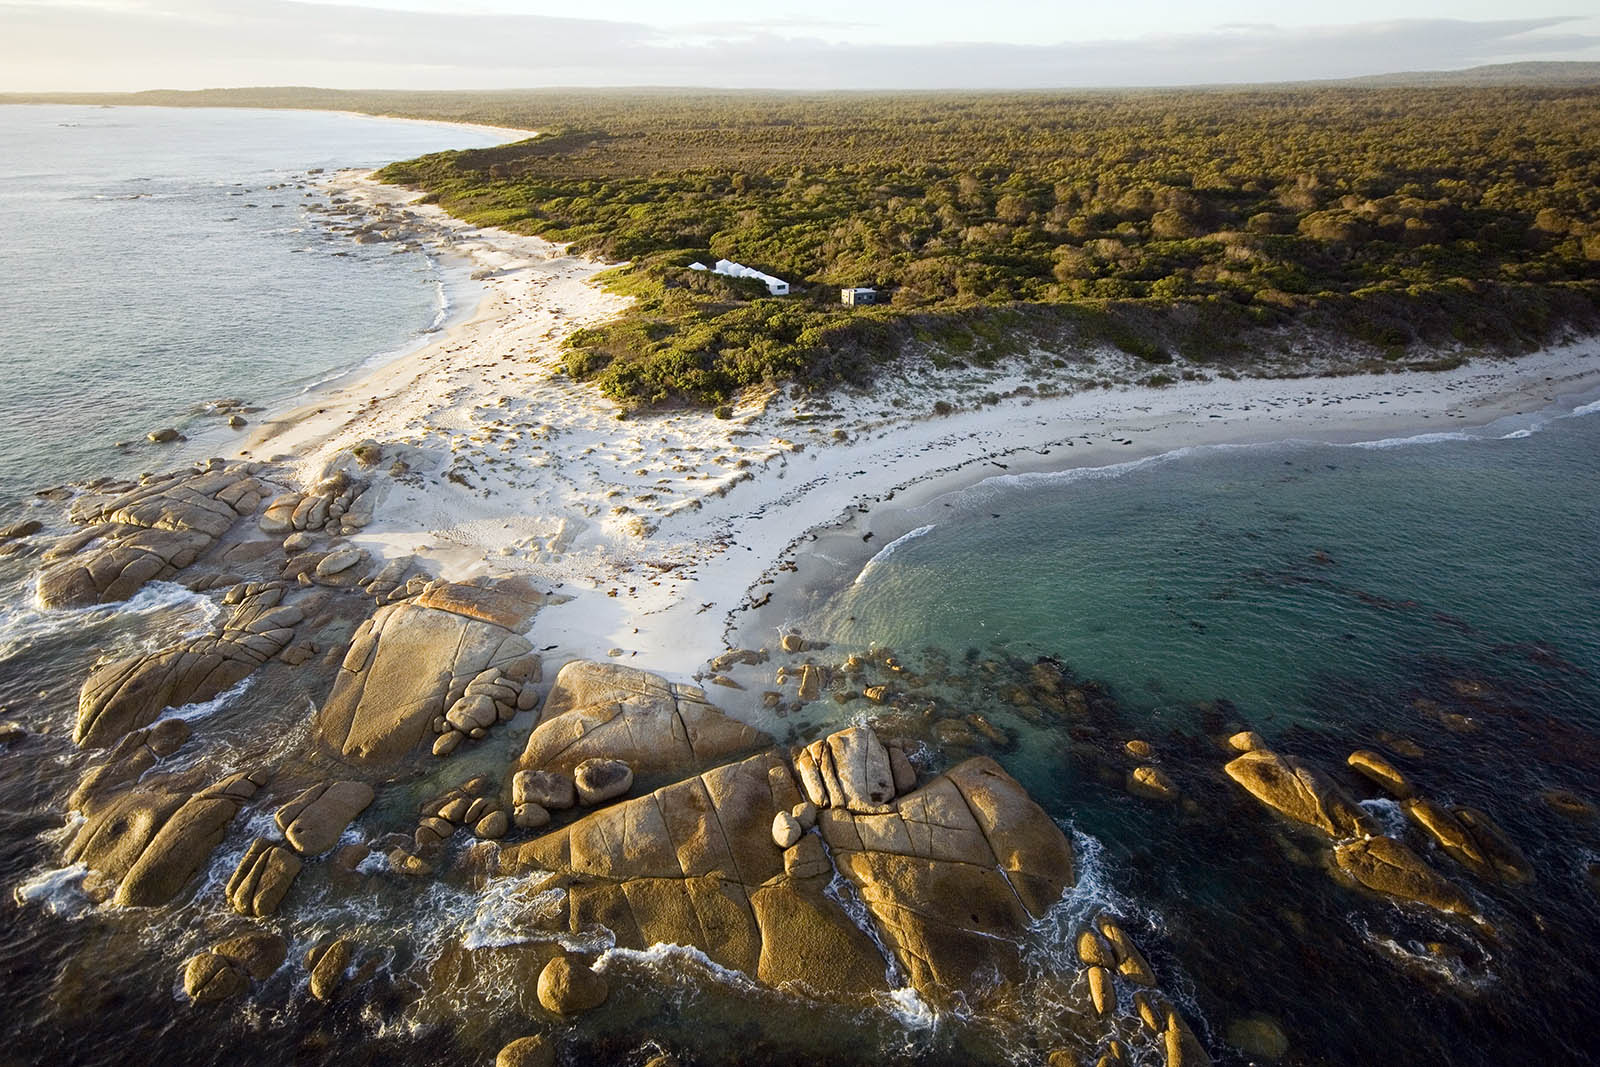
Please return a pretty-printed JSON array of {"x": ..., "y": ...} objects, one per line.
[{"x": 1433, "y": 597}]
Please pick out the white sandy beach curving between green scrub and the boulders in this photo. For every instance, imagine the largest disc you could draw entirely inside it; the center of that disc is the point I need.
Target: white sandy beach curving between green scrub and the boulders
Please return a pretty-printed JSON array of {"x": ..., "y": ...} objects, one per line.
[{"x": 665, "y": 529}]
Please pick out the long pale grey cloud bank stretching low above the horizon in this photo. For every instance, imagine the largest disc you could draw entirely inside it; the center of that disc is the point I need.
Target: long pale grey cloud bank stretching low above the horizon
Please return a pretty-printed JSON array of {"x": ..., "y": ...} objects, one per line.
[{"x": 191, "y": 44}]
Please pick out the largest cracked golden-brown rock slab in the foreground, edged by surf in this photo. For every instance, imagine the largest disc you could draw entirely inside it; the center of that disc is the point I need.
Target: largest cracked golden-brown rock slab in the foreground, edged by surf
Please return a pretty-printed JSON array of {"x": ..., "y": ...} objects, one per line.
[{"x": 953, "y": 877}]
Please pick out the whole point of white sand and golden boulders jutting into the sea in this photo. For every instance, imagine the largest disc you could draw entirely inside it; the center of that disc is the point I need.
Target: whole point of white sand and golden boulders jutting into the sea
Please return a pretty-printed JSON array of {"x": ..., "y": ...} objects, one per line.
[{"x": 412, "y": 767}]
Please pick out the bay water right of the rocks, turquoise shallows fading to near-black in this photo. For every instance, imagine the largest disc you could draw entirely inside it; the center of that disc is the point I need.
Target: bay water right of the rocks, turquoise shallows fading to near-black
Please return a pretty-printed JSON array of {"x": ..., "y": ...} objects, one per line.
[{"x": 1438, "y": 599}]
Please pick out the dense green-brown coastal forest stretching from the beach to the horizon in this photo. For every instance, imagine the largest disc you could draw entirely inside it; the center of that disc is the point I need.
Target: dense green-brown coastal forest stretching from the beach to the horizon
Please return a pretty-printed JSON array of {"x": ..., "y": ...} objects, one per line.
[{"x": 1407, "y": 220}]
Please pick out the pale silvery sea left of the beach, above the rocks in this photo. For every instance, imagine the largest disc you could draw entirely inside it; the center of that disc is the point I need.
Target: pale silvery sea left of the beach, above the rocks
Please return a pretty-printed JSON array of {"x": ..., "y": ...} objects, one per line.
[{"x": 150, "y": 268}]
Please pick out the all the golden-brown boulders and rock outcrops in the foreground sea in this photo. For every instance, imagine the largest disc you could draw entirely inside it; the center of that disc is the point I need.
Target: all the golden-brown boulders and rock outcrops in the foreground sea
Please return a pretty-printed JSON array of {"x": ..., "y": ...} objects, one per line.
[{"x": 618, "y": 810}]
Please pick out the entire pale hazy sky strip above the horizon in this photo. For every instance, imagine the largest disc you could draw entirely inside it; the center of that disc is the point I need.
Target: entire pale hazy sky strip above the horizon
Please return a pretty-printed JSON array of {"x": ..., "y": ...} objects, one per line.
[{"x": 54, "y": 46}]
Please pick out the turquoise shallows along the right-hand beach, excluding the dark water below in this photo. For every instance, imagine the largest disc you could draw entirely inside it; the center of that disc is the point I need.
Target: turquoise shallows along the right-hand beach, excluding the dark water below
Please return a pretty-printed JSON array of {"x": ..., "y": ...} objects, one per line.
[{"x": 1258, "y": 573}]
